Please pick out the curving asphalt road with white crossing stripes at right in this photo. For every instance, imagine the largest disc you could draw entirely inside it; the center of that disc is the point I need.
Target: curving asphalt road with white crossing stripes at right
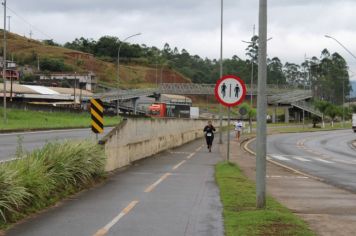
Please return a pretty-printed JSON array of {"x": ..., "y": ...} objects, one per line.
[{"x": 327, "y": 155}]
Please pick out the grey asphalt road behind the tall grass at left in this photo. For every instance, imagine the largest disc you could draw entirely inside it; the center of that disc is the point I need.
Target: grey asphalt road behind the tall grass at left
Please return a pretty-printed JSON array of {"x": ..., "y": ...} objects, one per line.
[{"x": 33, "y": 140}]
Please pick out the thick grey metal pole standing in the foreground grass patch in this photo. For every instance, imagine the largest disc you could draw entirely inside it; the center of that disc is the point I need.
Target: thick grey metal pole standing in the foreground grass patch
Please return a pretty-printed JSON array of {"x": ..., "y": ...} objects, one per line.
[{"x": 261, "y": 149}]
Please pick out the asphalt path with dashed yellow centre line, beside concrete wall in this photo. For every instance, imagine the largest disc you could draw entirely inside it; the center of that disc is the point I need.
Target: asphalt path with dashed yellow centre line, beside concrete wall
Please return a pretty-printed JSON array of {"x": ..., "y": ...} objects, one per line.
[{"x": 173, "y": 193}]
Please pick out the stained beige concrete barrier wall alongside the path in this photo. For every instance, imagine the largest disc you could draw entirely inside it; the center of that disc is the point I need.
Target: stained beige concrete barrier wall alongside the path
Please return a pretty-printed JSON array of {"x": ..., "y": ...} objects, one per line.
[{"x": 135, "y": 139}]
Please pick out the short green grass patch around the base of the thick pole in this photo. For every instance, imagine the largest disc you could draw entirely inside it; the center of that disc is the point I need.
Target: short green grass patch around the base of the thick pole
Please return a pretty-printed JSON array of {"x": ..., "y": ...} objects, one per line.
[{"x": 240, "y": 214}]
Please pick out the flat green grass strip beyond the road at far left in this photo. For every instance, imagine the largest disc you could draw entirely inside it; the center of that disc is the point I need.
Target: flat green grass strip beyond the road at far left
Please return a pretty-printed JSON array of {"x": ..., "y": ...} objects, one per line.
[{"x": 27, "y": 120}]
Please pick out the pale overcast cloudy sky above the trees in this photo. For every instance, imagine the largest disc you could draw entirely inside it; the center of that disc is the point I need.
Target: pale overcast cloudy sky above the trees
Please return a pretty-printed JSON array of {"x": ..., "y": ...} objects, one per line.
[{"x": 297, "y": 26}]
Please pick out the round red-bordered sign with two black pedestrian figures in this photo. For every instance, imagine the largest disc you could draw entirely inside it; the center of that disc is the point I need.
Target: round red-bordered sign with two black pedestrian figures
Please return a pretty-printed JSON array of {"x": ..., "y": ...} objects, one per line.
[{"x": 230, "y": 90}]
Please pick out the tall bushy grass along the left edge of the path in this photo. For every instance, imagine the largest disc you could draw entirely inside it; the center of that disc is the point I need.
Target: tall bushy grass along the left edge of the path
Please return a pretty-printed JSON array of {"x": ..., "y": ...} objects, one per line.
[{"x": 42, "y": 177}]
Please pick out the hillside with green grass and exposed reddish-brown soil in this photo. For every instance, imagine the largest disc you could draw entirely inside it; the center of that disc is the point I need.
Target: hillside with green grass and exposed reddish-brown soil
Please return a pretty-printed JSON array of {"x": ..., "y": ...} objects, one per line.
[{"x": 27, "y": 53}]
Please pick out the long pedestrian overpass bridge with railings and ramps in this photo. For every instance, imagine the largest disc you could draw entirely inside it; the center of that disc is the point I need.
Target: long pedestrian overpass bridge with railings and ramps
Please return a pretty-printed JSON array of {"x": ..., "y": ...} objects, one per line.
[{"x": 290, "y": 97}]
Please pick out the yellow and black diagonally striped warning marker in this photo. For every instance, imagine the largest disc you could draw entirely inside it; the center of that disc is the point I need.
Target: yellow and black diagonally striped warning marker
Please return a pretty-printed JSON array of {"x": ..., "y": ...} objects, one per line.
[{"x": 97, "y": 115}]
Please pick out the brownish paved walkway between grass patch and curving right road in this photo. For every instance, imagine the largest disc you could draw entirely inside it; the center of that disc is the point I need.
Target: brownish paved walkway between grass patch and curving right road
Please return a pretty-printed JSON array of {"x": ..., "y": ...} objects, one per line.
[{"x": 328, "y": 210}]
